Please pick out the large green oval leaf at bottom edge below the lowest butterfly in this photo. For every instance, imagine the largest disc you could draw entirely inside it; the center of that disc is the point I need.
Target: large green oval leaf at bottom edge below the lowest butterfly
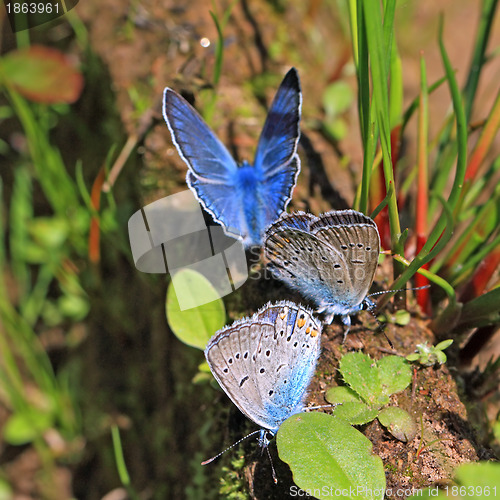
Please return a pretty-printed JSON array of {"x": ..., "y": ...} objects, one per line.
[{"x": 329, "y": 458}]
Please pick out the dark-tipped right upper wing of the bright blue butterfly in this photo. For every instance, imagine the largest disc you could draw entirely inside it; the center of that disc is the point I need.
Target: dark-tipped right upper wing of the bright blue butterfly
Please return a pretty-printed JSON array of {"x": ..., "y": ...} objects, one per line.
[{"x": 280, "y": 135}]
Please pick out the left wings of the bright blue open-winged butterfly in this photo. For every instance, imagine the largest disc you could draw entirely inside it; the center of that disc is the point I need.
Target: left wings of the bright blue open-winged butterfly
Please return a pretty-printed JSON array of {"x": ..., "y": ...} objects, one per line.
[{"x": 212, "y": 172}]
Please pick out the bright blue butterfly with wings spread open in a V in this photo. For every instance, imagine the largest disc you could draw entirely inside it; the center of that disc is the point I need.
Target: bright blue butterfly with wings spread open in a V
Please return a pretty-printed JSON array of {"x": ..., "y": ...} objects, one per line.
[{"x": 244, "y": 198}]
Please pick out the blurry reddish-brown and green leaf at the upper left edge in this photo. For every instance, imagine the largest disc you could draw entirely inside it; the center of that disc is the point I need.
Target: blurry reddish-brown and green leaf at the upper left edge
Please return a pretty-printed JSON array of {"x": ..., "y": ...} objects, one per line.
[{"x": 41, "y": 74}]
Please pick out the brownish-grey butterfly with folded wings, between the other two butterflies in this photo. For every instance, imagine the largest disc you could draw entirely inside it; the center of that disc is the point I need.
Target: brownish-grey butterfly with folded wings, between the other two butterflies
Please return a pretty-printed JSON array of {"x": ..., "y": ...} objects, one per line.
[{"x": 330, "y": 259}]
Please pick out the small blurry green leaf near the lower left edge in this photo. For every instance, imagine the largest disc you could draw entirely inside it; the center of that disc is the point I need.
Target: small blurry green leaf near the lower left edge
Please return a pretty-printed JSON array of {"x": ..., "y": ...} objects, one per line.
[{"x": 22, "y": 428}]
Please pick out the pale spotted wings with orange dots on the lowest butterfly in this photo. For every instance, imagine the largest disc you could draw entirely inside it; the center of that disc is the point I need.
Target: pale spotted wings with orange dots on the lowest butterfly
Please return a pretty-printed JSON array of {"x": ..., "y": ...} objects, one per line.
[{"x": 265, "y": 363}]
